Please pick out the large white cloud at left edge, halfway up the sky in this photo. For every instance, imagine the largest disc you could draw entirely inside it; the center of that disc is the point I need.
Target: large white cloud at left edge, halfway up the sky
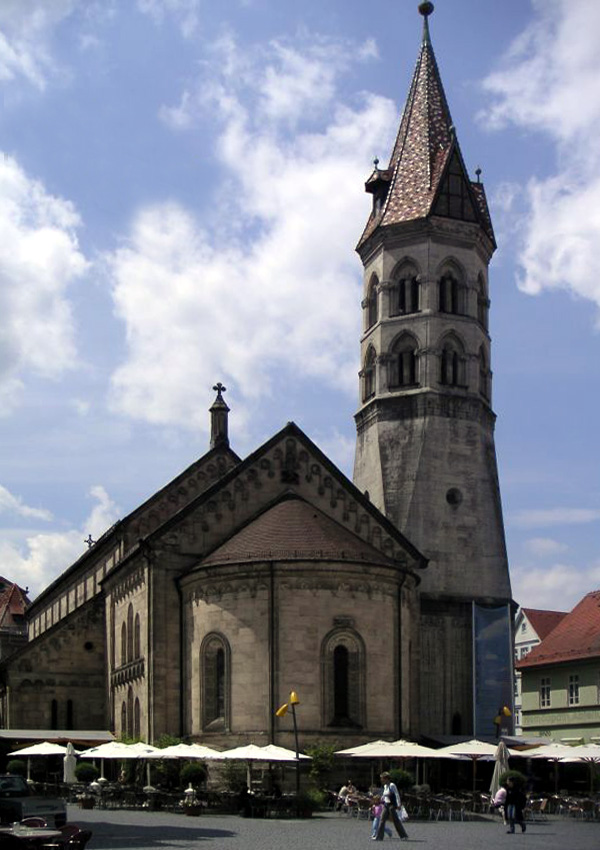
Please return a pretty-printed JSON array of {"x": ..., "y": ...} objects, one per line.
[{"x": 39, "y": 260}]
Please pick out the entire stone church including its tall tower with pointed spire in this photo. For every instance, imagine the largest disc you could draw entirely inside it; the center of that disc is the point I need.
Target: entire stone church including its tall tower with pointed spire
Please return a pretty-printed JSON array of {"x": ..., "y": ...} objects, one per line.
[{"x": 385, "y": 602}]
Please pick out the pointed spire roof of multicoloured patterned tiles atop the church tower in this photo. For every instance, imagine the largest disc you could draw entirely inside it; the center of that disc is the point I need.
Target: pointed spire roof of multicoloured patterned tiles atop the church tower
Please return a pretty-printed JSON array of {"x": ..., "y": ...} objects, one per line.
[{"x": 424, "y": 146}]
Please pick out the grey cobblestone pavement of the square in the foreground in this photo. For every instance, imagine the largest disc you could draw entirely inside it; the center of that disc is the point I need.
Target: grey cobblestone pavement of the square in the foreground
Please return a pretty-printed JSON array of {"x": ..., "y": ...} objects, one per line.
[{"x": 120, "y": 829}]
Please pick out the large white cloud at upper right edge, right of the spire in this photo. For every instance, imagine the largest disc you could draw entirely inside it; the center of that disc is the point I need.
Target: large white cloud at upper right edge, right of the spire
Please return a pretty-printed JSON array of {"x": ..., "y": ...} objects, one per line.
[{"x": 548, "y": 84}]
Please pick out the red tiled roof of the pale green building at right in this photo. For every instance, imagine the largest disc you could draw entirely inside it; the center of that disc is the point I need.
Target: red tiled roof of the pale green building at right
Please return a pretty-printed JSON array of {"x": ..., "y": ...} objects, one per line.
[{"x": 576, "y": 637}]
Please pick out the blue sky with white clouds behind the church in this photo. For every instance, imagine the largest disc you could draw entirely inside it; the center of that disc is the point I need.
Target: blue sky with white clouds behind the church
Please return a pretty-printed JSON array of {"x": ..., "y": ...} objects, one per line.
[{"x": 181, "y": 191}]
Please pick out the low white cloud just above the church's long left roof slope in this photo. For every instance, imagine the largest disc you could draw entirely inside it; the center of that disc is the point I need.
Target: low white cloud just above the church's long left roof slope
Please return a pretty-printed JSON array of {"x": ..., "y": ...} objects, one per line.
[{"x": 36, "y": 560}]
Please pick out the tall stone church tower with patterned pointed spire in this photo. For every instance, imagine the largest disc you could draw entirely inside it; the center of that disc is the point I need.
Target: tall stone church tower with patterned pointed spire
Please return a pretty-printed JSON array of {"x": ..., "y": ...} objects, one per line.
[{"x": 425, "y": 428}]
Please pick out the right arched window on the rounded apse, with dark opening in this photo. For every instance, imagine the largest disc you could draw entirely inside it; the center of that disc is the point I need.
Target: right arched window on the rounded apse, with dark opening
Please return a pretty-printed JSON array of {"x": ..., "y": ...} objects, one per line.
[{"x": 342, "y": 664}]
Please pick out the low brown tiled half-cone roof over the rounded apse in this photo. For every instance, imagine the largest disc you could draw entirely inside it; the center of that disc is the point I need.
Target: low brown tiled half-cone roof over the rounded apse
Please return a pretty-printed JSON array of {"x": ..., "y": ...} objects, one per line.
[{"x": 295, "y": 530}]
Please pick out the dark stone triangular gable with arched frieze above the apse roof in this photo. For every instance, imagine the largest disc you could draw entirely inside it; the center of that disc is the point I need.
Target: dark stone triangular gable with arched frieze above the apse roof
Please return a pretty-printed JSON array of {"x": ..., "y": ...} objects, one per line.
[{"x": 287, "y": 463}]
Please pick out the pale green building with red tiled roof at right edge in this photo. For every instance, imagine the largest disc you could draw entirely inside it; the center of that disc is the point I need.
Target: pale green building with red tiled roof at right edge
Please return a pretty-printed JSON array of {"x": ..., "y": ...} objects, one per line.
[{"x": 560, "y": 677}]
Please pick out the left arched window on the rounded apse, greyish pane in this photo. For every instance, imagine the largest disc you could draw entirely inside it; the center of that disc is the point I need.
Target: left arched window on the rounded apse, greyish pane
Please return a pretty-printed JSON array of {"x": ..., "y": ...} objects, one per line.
[{"x": 215, "y": 663}]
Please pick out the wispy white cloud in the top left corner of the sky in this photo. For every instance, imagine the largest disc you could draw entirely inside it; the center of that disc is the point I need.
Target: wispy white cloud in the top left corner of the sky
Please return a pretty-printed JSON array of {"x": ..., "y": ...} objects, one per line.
[{"x": 26, "y": 28}]
